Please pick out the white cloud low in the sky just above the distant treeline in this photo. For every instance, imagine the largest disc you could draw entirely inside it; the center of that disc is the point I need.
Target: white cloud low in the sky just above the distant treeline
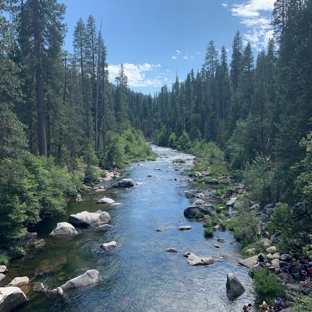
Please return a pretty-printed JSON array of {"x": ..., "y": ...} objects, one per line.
[{"x": 136, "y": 74}]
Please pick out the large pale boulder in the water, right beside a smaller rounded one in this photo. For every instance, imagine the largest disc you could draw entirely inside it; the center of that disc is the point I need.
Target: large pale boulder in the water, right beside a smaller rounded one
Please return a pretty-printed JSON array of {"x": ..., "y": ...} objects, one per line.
[{"x": 89, "y": 219}]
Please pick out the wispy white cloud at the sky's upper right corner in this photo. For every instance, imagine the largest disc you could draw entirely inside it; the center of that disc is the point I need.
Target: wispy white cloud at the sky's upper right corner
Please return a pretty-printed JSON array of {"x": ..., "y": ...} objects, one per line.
[{"x": 256, "y": 16}]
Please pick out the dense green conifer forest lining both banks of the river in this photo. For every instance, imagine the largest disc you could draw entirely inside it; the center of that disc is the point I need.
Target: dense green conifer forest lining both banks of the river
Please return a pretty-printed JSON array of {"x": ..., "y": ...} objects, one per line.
[{"x": 59, "y": 108}]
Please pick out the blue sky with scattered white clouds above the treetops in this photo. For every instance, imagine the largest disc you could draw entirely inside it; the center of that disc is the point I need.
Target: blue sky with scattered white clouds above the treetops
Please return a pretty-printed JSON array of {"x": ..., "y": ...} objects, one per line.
[{"x": 157, "y": 40}]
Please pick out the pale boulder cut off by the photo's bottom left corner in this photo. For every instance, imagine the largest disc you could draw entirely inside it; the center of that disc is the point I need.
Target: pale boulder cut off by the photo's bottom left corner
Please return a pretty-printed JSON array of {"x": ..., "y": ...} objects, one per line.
[{"x": 11, "y": 298}]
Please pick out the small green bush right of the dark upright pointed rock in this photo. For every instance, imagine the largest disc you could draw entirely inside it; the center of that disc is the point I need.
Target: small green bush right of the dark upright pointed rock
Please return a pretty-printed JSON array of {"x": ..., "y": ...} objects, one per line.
[{"x": 267, "y": 287}]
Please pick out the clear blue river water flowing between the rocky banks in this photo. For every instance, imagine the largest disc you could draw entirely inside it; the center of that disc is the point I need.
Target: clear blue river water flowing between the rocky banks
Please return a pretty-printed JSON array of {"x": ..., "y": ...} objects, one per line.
[{"x": 138, "y": 275}]
